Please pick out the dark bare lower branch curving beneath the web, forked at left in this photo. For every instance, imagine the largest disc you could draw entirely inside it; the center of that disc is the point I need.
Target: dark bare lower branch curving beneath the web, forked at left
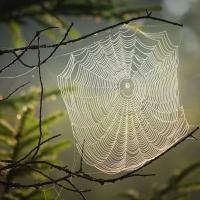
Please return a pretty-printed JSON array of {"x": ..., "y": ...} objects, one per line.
[{"x": 70, "y": 174}]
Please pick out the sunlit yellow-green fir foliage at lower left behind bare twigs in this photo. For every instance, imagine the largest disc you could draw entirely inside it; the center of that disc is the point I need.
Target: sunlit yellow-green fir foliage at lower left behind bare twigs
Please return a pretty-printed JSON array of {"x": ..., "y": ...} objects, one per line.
[{"x": 20, "y": 134}]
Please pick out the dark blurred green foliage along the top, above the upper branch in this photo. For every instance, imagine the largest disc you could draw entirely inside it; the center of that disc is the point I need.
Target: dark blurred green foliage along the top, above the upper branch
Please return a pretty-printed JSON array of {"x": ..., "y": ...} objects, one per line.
[{"x": 54, "y": 12}]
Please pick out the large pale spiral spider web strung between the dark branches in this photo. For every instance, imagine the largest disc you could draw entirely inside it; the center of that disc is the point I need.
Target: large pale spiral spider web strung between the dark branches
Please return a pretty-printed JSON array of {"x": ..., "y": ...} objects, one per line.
[{"x": 122, "y": 98}]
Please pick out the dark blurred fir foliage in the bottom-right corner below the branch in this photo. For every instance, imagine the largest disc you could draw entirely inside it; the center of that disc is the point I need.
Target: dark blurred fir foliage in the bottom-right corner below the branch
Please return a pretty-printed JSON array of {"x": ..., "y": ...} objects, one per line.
[{"x": 179, "y": 186}]
